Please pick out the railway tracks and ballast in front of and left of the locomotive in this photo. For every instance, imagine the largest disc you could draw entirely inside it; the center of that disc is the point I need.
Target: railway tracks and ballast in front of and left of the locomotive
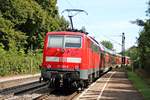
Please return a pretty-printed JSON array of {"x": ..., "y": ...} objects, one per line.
[{"x": 36, "y": 91}]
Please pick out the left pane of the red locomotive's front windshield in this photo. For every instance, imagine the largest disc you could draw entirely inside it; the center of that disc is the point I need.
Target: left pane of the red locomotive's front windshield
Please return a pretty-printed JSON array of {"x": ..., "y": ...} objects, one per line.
[{"x": 55, "y": 41}]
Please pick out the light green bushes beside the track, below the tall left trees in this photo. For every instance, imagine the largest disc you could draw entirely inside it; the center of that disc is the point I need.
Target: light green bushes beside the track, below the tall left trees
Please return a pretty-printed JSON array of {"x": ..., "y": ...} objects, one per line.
[{"x": 13, "y": 63}]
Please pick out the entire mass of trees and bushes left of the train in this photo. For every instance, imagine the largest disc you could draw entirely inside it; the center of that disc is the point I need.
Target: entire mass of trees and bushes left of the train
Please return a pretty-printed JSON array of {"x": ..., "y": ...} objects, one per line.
[{"x": 23, "y": 25}]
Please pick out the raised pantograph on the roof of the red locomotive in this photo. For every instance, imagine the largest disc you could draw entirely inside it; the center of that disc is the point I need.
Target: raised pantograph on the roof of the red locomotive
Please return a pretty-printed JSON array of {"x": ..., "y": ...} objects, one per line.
[{"x": 72, "y": 13}]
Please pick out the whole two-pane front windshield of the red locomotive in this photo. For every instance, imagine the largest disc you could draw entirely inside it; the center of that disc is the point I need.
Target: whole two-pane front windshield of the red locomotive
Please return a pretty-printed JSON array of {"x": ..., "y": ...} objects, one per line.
[{"x": 60, "y": 41}]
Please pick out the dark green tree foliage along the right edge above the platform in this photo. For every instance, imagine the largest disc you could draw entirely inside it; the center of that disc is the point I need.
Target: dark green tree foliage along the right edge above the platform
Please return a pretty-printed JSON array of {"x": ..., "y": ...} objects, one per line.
[{"x": 144, "y": 43}]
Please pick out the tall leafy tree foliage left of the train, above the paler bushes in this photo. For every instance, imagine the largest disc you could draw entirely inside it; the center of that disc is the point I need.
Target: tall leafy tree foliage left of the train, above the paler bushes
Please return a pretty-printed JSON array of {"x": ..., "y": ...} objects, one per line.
[{"x": 28, "y": 21}]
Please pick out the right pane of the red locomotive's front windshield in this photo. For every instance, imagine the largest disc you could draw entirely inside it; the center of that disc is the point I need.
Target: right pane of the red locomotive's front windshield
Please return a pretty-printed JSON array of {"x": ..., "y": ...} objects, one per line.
[{"x": 72, "y": 42}]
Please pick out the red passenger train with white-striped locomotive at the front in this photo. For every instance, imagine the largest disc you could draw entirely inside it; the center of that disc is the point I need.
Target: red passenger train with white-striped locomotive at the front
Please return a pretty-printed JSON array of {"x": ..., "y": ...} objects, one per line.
[{"x": 73, "y": 59}]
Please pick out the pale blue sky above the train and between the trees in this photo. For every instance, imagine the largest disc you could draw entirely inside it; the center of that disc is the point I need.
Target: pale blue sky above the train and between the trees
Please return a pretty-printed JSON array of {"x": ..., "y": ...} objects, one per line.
[{"x": 108, "y": 19}]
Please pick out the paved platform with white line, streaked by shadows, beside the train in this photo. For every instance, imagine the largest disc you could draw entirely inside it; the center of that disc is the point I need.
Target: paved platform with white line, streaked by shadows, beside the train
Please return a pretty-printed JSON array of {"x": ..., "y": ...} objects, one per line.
[{"x": 112, "y": 86}]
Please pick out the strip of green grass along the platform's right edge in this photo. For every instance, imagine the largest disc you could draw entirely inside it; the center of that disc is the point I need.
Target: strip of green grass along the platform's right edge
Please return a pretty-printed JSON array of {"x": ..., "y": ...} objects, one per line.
[{"x": 140, "y": 84}]
